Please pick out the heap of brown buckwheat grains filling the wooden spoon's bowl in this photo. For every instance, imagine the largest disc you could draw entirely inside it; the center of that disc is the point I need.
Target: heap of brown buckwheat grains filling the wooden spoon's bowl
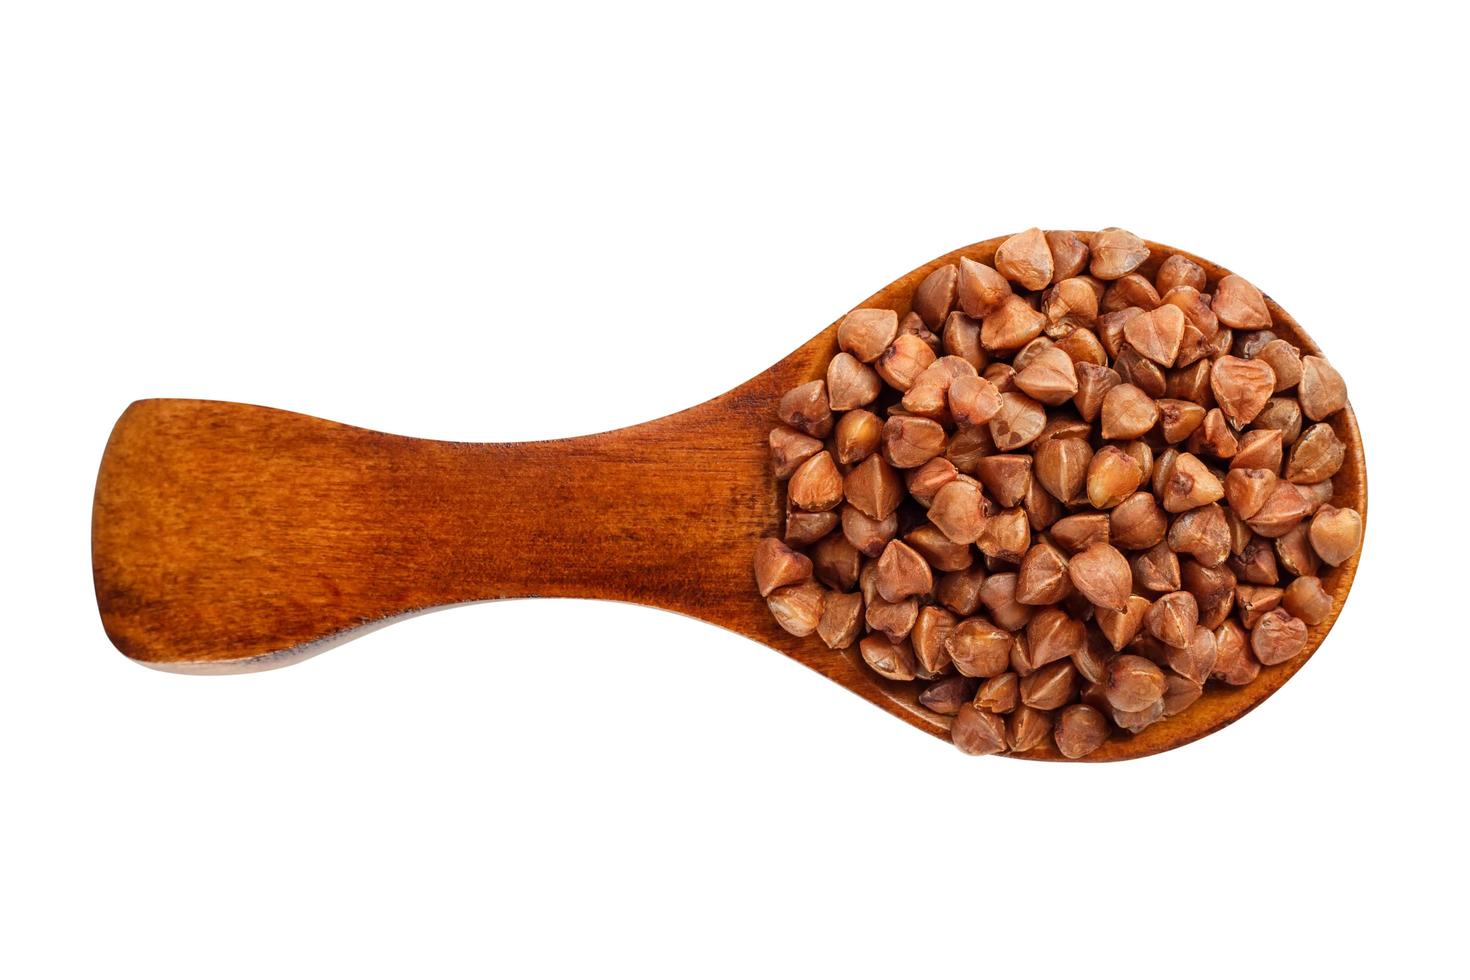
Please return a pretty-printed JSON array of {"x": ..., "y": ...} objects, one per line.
[{"x": 1062, "y": 496}]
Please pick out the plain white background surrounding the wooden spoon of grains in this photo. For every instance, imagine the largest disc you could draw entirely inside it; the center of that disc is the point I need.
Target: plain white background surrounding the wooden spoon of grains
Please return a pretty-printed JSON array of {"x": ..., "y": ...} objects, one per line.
[{"x": 426, "y": 218}]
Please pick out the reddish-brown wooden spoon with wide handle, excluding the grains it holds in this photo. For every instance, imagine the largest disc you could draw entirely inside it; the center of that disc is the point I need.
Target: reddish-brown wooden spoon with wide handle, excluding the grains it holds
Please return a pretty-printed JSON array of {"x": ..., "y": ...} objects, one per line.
[{"x": 232, "y": 538}]
